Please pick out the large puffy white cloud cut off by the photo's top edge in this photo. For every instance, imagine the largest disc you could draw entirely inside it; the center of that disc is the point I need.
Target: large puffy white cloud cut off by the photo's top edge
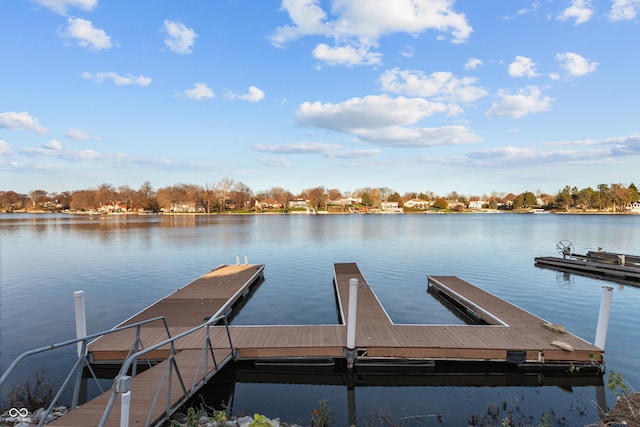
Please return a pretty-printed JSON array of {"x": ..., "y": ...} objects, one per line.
[{"x": 357, "y": 25}]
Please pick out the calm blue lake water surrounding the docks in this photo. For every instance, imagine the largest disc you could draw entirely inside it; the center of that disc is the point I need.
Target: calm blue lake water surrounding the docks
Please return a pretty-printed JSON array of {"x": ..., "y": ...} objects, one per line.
[{"x": 125, "y": 263}]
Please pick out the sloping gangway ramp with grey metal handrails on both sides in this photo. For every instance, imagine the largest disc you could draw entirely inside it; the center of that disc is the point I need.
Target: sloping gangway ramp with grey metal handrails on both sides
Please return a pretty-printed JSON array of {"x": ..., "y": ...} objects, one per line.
[{"x": 173, "y": 380}]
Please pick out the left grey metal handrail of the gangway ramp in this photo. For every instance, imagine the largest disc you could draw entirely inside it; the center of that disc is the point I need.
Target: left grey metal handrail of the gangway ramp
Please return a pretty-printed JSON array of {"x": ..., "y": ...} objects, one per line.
[{"x": 82, "y": 361}]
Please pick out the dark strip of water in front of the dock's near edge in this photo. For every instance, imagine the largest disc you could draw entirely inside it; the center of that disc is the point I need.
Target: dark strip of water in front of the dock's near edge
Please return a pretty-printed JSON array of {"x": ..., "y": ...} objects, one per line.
[{"x": 427, "y": 397}]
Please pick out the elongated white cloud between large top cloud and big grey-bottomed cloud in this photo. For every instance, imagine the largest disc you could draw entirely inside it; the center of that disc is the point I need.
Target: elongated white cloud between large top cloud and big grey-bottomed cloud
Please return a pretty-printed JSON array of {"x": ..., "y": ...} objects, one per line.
[{"x": 442, "y": 86}]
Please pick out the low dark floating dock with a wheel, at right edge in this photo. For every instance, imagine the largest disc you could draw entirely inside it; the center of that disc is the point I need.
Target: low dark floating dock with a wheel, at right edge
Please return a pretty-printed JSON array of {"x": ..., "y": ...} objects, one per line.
[{"x": 607, "y": 265}]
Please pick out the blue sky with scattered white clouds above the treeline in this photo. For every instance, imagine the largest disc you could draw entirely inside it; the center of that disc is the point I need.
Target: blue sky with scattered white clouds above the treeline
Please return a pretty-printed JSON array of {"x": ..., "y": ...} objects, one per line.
[{"x": 414, "y": 95}]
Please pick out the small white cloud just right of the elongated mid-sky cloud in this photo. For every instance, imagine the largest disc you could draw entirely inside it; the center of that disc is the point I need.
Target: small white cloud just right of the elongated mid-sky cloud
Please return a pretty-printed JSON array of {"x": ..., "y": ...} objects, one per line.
[{"x": 525, "y": 101}]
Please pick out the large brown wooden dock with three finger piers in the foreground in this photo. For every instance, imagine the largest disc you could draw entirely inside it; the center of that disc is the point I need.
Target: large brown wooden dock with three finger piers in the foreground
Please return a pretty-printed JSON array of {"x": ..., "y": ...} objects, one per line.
[{"x": 507, "y": 335}]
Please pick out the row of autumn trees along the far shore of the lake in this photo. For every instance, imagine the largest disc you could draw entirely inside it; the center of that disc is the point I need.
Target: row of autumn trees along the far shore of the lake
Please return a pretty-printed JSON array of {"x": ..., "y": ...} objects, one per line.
[{"x": 230, "y": 195}]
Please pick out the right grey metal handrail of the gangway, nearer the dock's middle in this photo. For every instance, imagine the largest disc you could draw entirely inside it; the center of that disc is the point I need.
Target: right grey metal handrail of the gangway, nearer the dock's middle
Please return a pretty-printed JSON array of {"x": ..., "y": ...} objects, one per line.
[{"x": 122, "y": 382}]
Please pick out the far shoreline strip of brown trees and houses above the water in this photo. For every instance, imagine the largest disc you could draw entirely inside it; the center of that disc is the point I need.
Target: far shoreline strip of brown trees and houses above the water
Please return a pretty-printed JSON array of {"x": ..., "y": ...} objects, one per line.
[{"x": 228, "y": 196}]
